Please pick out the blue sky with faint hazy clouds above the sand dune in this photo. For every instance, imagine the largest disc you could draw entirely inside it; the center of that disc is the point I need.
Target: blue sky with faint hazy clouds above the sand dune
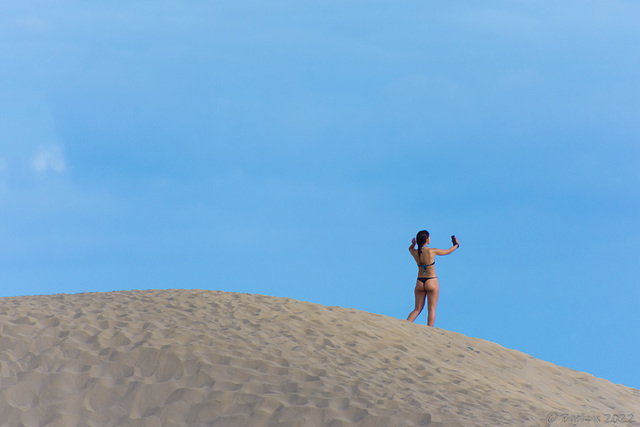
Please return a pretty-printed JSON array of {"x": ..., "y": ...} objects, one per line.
[{"x": 295, "y": 148}]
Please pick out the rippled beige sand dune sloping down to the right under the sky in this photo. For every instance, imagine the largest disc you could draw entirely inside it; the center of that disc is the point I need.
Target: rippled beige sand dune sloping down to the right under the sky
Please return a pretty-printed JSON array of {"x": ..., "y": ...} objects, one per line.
[{"x": 191, "y": 358}]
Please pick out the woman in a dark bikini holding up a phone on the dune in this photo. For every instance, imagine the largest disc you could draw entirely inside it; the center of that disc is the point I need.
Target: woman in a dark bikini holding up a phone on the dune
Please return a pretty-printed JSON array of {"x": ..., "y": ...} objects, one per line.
[{"x": 427, "y": 282}]
